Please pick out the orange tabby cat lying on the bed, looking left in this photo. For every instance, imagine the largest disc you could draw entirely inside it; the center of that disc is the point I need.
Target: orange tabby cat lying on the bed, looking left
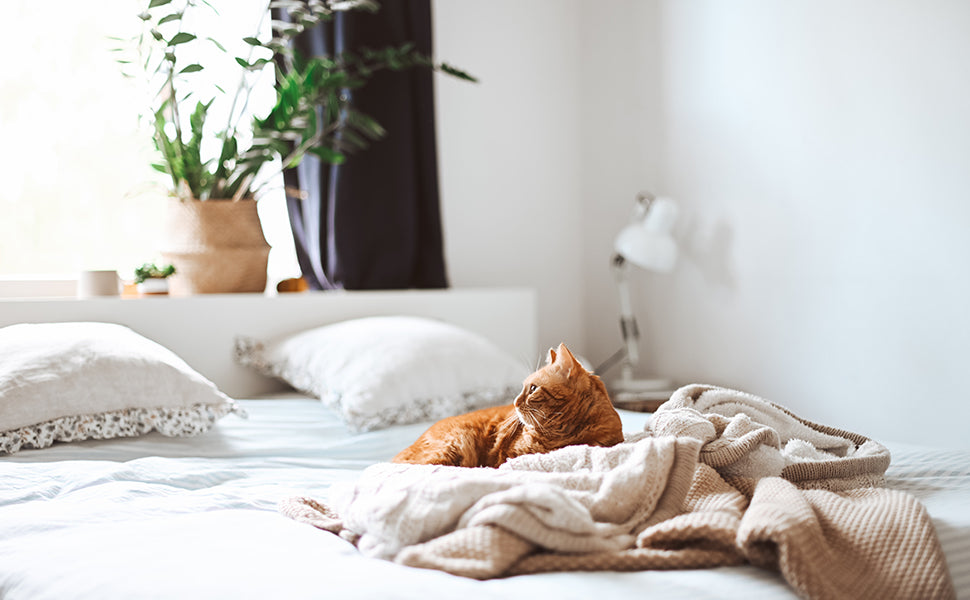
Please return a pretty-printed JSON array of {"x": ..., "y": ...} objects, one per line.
[{"x": 561, "y": 404}]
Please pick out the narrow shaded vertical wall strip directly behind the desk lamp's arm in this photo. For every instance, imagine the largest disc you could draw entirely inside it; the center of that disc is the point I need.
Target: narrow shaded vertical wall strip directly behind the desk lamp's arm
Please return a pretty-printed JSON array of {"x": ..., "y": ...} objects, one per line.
[{"x": 620, "y": 130}]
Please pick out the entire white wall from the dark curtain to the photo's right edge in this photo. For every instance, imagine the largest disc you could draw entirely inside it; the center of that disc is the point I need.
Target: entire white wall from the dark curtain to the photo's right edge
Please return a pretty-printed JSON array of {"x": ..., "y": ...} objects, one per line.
[{"x": 820, "y": 150}]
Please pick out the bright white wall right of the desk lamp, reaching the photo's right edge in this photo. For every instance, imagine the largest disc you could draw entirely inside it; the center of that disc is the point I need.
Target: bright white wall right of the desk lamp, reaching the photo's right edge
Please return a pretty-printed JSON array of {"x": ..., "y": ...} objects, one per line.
[{"x": 822, "y": 151}]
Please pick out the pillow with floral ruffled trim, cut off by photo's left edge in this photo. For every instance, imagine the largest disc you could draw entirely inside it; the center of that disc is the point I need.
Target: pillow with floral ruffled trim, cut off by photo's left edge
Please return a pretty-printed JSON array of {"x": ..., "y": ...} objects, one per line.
[{"x": 74, "y": 381}]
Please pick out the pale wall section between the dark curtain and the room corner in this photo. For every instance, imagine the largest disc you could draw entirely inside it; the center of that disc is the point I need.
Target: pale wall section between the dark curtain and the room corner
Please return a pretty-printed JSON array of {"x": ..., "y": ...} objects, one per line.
[{"x": 509, "y": 155}]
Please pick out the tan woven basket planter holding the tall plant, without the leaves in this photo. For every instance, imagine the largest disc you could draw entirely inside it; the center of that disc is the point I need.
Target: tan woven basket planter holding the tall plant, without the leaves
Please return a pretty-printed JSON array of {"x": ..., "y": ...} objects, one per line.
[{"x": 217, "y": 247}]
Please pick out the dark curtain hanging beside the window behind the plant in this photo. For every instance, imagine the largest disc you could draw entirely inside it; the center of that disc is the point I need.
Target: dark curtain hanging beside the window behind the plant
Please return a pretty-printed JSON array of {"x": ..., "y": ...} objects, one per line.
[{"x": 374, "y": 222}]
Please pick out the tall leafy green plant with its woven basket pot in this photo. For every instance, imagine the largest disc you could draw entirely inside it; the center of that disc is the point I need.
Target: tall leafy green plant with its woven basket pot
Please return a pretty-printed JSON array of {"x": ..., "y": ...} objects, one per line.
[{"x": 218, "y": 169}]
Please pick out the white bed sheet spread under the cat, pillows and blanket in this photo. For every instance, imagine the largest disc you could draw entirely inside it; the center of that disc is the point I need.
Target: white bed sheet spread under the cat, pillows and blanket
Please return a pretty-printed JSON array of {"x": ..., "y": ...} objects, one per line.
[{"x": 156, "y": 517}]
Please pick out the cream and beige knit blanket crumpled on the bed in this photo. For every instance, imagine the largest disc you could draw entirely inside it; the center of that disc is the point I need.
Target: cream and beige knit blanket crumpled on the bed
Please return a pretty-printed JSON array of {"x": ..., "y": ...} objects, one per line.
[{"x": 719, "y": 478}]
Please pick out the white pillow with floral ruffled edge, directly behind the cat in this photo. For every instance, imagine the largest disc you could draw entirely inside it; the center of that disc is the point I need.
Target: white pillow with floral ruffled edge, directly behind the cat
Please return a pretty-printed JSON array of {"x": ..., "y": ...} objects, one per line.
[{"x": 382, "y": 371}]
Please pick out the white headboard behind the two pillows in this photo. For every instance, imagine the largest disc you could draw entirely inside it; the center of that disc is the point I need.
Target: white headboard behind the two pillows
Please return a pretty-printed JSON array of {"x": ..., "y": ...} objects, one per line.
[{"x": 202, "y": 329}]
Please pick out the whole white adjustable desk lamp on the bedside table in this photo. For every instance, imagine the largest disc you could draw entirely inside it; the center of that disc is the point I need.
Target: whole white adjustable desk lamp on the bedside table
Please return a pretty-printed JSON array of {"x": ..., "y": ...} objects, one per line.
[{"x": 647, "y": 243}]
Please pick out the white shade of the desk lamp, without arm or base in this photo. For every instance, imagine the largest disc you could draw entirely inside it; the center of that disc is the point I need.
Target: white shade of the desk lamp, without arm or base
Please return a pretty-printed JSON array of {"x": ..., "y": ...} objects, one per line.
[{"x": 647, "y": 242}]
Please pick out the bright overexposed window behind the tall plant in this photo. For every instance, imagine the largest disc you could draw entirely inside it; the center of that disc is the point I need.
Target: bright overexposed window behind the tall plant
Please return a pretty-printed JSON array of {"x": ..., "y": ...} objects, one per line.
[{"x": 77, "y": 190}]
